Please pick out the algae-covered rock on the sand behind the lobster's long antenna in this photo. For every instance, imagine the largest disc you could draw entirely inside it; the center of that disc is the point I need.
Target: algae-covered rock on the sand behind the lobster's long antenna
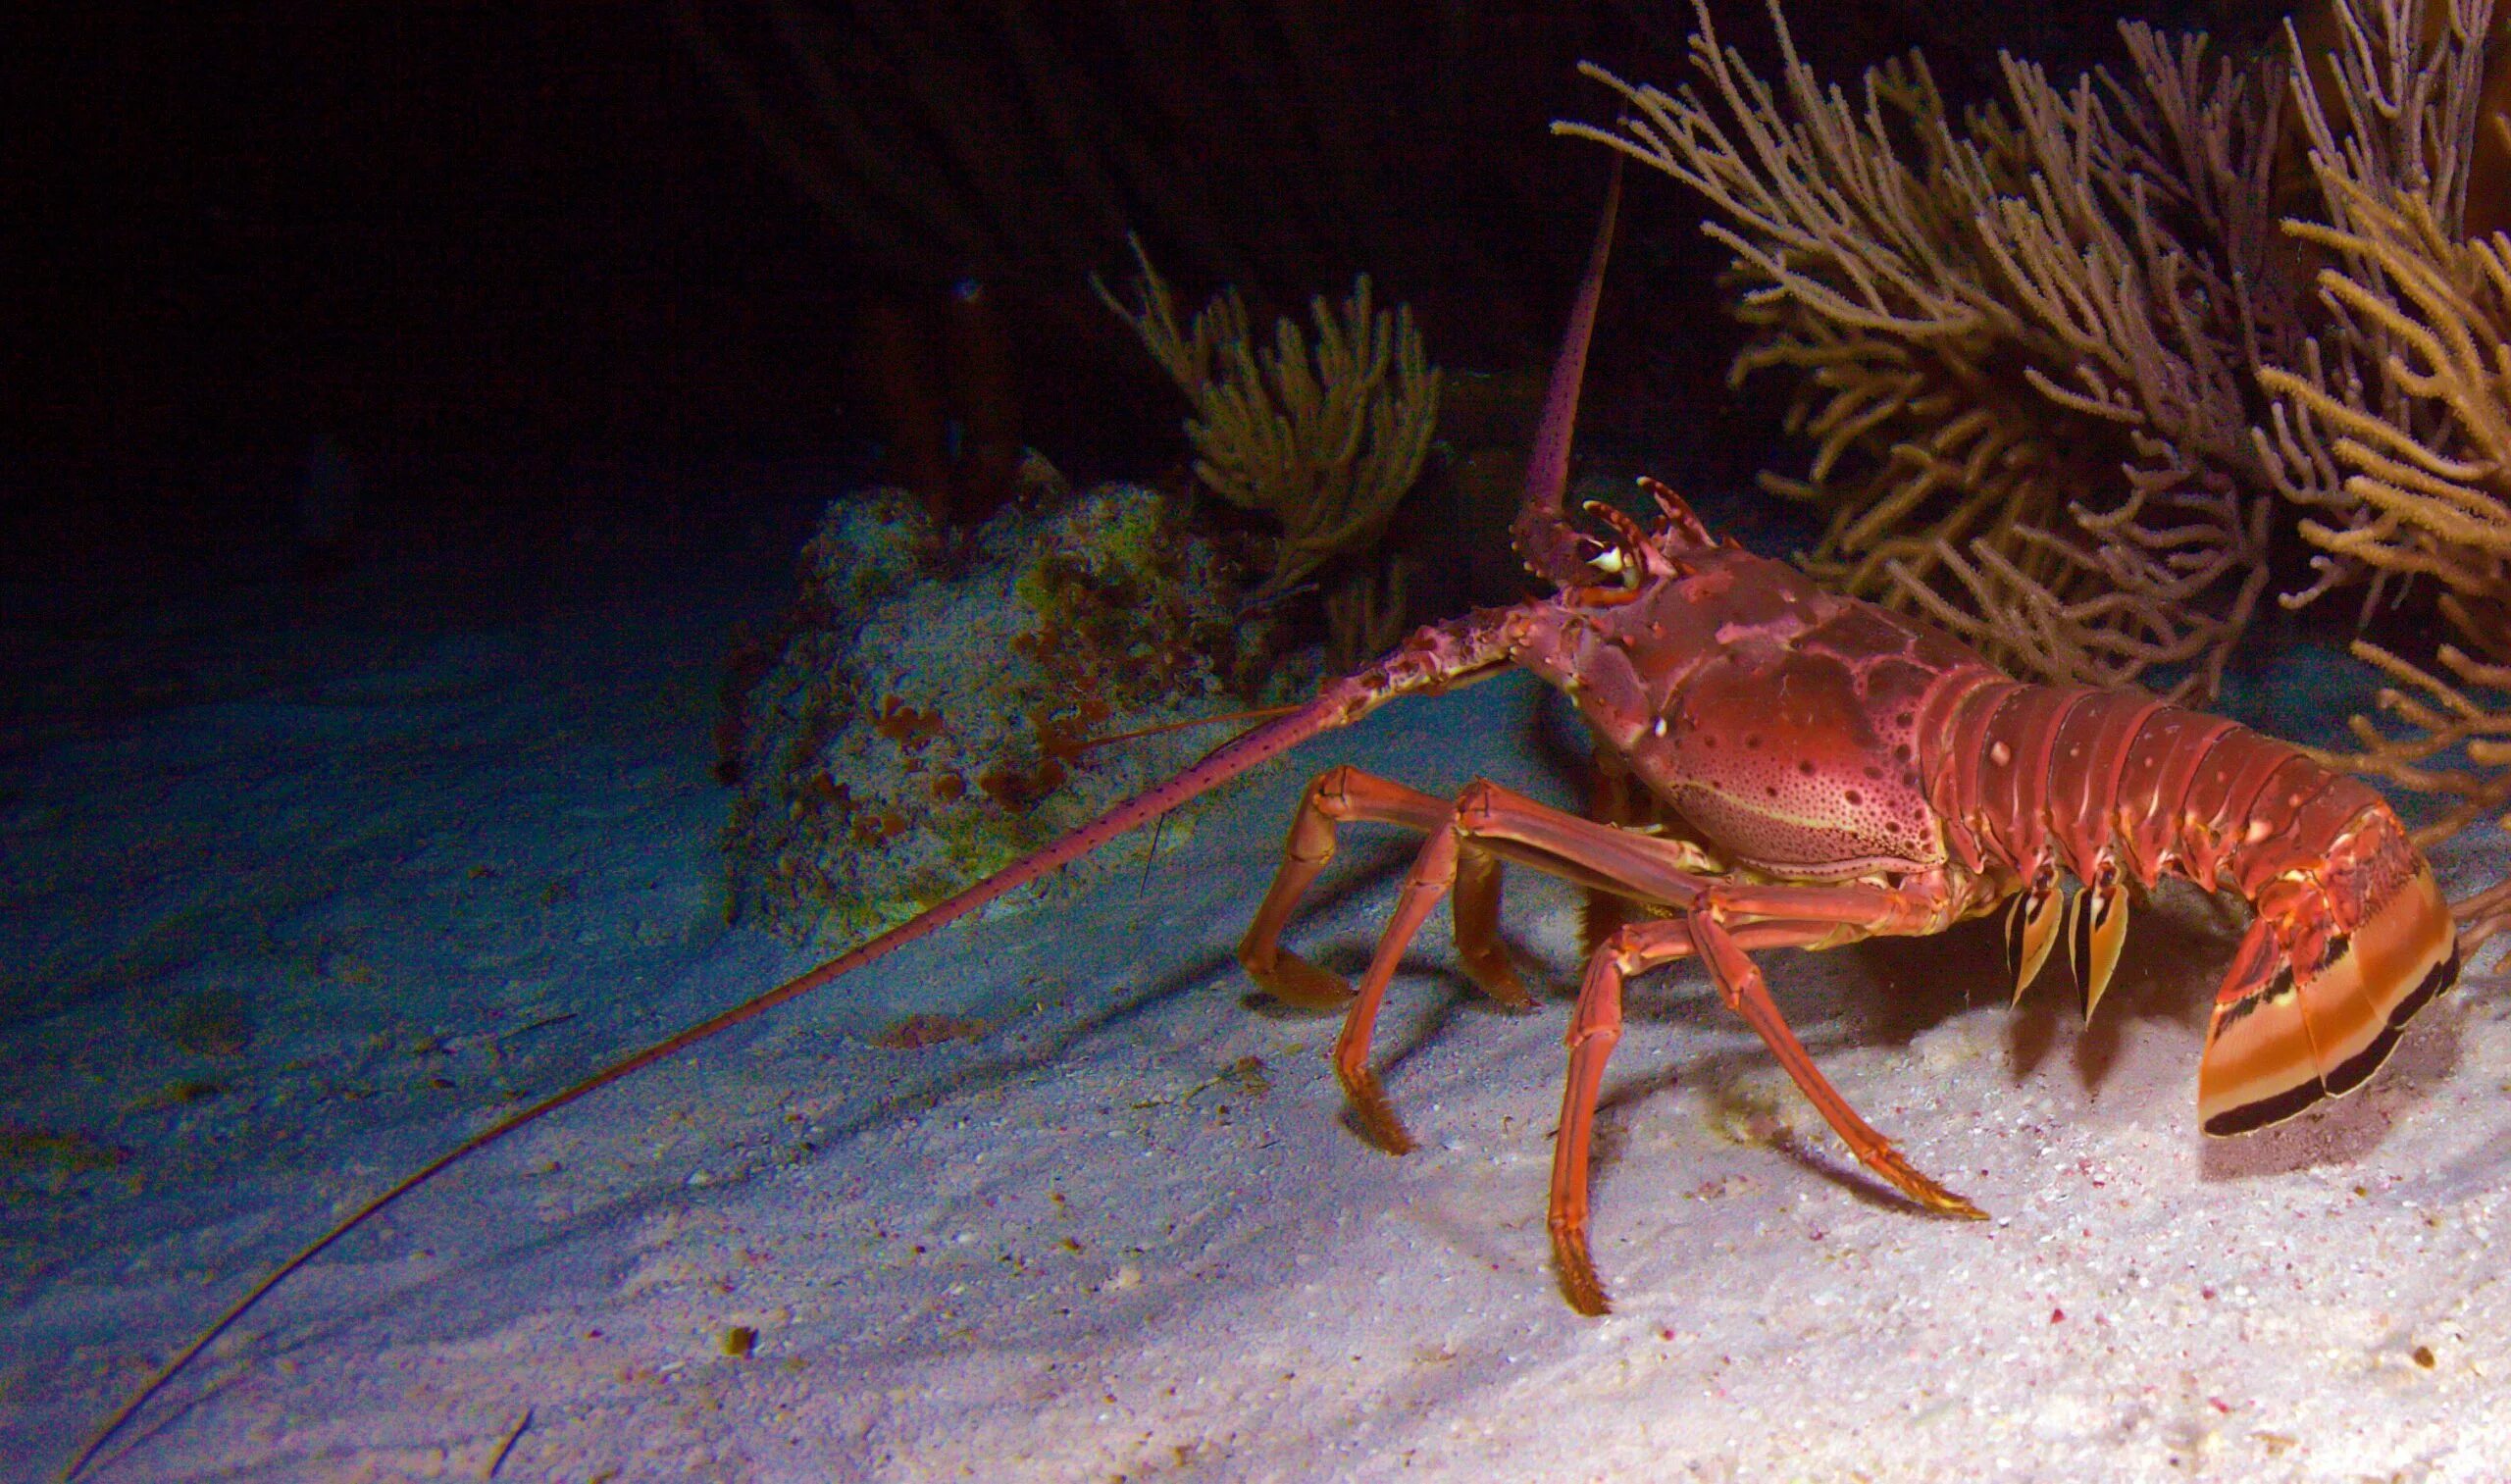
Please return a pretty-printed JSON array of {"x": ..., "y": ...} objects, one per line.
[{"x": 925, "y": 724}]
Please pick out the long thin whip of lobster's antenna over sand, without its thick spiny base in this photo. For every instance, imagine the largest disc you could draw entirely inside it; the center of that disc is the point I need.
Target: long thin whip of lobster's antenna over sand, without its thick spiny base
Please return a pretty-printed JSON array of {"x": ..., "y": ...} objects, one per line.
[{"x": 1237, "y": 757}]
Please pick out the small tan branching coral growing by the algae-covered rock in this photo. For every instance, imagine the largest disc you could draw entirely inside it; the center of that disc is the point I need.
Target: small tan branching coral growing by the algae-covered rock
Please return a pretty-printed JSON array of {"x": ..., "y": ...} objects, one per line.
[{"x": 1327, "y": 446}]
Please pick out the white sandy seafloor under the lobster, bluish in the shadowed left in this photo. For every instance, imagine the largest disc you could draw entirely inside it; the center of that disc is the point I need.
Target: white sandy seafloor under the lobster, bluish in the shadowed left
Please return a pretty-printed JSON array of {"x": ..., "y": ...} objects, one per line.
[{"x": 468, "y": 852}]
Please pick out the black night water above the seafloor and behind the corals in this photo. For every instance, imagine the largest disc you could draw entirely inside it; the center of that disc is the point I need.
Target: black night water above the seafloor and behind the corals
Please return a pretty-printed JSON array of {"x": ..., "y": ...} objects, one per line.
[{"x": 539, "y": 262}]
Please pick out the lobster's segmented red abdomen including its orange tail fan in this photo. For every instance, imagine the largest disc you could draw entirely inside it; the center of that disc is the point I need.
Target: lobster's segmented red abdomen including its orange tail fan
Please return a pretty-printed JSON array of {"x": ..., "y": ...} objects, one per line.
[{"x": 2113, "y": 787}]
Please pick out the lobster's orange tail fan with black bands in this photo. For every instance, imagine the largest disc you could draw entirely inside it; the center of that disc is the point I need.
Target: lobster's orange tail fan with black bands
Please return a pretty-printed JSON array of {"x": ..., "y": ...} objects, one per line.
[{"x": 2316, "y": 1003}]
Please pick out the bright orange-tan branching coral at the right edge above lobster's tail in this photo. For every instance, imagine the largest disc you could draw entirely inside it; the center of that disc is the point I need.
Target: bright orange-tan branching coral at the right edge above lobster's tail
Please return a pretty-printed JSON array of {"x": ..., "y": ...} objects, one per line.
[{"x": 2394, "y": 431}]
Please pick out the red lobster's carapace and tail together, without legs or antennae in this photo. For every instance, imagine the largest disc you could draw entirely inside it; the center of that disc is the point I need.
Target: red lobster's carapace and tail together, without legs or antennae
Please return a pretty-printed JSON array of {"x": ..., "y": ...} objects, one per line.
[{"x": 1807, "y": 737}]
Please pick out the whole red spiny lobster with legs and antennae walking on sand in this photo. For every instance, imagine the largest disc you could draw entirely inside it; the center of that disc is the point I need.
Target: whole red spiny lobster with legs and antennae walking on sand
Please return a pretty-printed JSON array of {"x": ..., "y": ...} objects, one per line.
[{"x": 1794, "y": 770}]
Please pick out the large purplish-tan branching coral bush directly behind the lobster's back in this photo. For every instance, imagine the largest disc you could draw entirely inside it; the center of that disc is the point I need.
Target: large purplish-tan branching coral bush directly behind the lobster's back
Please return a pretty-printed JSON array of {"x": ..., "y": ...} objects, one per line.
[{"x": 2025, "y": 348}]
